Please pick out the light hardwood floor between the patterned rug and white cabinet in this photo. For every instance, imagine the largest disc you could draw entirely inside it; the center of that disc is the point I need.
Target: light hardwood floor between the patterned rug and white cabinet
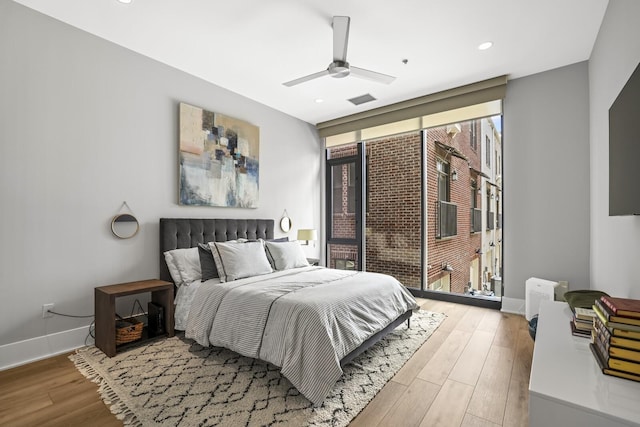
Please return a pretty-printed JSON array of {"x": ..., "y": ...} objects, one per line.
[{"x": 473, "y": 371}]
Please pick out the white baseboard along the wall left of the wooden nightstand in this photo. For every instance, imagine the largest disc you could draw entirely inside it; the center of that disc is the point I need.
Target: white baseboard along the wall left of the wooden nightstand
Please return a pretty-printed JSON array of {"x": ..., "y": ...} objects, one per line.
[{"x": 27, "y": 351}]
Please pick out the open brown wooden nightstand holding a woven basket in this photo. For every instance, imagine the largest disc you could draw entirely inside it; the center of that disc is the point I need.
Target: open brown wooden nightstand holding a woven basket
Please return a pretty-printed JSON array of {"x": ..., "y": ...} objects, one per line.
[{"x": 105, "y": 309}]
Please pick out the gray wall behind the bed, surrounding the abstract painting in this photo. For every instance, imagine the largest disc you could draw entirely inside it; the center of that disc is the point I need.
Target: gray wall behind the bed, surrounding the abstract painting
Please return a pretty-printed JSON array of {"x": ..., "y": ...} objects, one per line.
[{"x": 85, "y": 125}]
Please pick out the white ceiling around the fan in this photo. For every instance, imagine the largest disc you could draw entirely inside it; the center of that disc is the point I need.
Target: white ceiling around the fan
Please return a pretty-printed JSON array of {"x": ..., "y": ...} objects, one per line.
[{"x": 252, "y": 46}]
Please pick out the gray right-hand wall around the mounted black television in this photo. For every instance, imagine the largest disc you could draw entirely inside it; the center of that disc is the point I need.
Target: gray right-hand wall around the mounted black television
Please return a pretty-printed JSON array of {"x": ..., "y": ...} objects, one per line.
[{"x": 615, "y": 241}]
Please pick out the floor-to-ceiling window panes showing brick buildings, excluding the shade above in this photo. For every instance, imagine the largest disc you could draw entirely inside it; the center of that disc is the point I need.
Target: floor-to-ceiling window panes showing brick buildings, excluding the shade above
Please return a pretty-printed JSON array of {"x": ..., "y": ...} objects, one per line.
[{"x": 430, "y": 210}]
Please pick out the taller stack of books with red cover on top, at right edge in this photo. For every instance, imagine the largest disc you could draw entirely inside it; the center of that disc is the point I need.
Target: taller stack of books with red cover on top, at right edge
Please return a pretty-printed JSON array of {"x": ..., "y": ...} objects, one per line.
[{"x": 616, "y": 336}]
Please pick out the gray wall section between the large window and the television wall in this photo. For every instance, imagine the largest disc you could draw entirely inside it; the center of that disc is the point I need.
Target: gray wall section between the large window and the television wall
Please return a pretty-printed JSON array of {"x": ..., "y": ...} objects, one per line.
[{"x": 546, "y": 179}]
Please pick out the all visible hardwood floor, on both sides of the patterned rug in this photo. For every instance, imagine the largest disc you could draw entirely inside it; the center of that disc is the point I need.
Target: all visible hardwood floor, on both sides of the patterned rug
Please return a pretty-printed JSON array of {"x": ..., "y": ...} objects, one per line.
[{"x": 473, "y": 371}]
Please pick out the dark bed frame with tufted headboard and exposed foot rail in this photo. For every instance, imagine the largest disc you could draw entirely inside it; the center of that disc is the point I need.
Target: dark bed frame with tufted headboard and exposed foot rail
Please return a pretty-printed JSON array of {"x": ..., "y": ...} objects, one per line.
[{"x": 178, "y": 233}]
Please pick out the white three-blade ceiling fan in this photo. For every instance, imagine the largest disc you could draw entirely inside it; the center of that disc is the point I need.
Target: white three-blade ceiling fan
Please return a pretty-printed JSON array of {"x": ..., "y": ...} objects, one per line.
[{"x": 340, "y": 68}]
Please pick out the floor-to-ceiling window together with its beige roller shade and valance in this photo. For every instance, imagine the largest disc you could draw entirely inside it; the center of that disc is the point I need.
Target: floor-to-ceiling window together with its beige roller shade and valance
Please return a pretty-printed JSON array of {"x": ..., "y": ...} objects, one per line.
[{"x": 425, "y": 203}]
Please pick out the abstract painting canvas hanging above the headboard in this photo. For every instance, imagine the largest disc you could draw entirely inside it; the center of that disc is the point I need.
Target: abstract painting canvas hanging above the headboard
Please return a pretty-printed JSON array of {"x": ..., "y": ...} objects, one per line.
[{"x": 219, "y": 159}]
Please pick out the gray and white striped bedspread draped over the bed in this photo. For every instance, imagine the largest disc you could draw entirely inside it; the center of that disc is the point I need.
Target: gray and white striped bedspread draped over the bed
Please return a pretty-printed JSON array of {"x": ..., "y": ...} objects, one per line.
[{"x": 302, "y": 320}]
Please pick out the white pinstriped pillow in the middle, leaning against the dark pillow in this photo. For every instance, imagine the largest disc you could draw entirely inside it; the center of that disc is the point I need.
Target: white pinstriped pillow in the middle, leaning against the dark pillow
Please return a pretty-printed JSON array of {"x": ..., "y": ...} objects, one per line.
[{"x": 239, "y": 260}]
